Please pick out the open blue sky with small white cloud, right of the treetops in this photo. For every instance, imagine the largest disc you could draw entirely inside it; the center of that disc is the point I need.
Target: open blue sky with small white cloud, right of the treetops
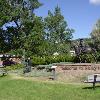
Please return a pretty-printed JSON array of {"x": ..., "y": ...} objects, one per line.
[{"x": 80, "y": 15}]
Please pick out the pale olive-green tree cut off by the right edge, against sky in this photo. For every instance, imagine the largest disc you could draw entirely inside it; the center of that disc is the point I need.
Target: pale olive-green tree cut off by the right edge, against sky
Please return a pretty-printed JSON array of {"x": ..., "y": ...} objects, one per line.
[{"x": 95, "y": 35}]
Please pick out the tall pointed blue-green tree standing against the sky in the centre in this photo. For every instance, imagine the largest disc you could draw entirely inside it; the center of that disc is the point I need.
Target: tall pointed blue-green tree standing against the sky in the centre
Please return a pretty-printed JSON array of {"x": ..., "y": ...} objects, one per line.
[{"x": 57, "y": 31}]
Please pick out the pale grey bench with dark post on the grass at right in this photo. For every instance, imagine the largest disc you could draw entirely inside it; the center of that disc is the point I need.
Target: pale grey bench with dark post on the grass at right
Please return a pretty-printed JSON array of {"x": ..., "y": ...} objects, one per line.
[{"x": 94, "y": 78}]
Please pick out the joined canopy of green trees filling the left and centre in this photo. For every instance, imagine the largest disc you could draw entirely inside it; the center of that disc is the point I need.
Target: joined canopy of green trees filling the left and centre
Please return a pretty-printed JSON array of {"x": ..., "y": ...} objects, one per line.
[{"x": 35, "y": 35}]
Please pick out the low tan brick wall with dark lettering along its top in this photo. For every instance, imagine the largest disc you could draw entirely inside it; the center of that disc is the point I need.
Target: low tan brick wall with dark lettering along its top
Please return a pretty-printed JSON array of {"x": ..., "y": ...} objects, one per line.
[{"x": 76, "y": 72}]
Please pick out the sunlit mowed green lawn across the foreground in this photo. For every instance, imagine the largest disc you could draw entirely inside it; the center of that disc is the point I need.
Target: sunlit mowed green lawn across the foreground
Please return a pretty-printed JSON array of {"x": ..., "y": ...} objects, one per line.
[{"x": 21, "y": 89}]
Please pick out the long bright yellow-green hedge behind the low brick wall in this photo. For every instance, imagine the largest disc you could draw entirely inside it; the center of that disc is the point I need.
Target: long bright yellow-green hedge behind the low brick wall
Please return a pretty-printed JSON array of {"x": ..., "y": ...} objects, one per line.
[{"x": 51, "y": 59}]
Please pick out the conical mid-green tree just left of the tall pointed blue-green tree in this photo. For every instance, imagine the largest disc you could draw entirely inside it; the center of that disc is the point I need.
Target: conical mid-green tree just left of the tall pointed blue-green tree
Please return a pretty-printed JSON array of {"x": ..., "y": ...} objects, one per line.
[{"x": 35, "y": 40}]
